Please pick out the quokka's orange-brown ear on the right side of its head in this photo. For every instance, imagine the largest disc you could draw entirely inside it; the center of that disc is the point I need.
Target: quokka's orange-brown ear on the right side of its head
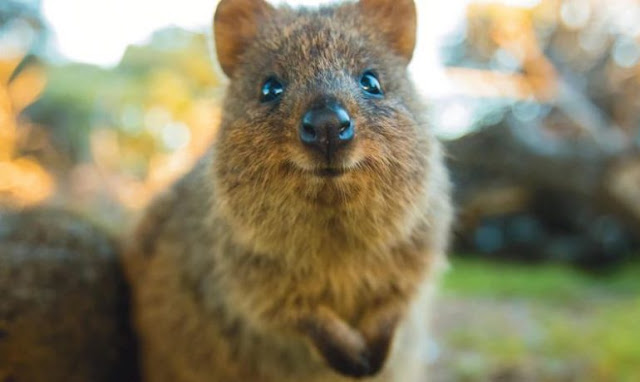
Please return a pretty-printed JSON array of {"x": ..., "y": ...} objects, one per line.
[{"x": 396, "y": 19}]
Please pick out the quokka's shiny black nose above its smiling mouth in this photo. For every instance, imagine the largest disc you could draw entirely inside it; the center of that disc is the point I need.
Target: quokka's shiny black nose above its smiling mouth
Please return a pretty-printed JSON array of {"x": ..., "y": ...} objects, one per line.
[{"x": 326, "y": 127}]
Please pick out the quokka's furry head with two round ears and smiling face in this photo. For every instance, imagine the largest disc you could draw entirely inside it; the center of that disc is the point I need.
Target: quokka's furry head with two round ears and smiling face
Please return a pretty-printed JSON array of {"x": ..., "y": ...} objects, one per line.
[{"x": 319, "y": 97}]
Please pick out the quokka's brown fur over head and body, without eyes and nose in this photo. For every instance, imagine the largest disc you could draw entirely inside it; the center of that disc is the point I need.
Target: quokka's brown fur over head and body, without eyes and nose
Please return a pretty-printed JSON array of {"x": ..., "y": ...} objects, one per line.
[{"x": 255, "y": 268}]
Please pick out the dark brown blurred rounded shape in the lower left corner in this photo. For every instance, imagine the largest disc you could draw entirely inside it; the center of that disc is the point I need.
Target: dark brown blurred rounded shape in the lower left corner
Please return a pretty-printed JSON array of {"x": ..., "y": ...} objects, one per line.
[{"x": 63, "y": 301}]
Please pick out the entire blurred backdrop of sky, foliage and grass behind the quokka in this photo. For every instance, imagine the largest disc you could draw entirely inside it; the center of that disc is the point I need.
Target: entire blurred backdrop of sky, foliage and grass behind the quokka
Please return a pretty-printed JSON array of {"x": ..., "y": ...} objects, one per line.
[{"x": 102, "y": 104}]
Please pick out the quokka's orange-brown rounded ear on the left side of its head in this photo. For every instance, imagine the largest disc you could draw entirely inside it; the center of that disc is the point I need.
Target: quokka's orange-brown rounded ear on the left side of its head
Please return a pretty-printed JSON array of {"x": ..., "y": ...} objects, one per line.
[{"x": 235, "y": 25}]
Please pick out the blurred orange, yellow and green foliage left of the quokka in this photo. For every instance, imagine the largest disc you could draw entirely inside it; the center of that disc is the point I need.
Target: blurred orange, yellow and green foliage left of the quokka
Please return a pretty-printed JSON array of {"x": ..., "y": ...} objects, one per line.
[{"x": 111, "y": 138}]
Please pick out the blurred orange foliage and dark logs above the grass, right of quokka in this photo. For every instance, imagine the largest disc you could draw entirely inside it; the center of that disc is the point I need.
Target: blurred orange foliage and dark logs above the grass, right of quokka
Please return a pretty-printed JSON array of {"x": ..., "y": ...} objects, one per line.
[{"x": 544, "y": 124}]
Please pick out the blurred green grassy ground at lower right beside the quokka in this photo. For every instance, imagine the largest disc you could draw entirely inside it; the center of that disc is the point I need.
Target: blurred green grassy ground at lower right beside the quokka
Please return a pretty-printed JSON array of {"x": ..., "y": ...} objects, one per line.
[{"x": 498, "y": 322}]
